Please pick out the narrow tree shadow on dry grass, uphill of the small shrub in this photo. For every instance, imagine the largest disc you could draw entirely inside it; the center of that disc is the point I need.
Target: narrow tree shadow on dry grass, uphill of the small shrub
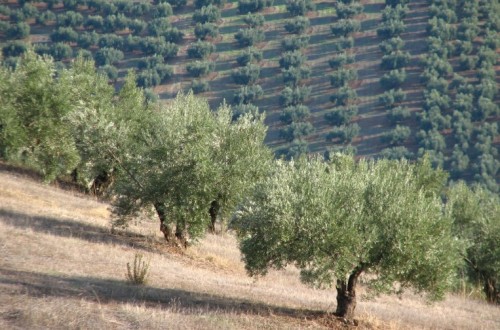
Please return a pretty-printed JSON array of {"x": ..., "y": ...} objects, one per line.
[{"x": 73, "y": 229}]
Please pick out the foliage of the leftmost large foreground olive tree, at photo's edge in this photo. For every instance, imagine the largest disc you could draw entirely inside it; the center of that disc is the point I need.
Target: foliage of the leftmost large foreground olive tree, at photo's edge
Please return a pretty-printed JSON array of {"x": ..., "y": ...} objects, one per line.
[{"x": 33, "y": 130}]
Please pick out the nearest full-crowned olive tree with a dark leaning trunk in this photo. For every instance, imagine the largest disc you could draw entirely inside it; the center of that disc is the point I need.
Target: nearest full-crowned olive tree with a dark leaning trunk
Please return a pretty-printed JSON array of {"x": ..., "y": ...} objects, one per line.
[{"x": 340, "y": 219}]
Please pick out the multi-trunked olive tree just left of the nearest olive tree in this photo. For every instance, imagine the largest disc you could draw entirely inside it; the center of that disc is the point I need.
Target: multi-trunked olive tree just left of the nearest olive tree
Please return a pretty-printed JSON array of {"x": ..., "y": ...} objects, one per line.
[{"x": 177, "y": 159}]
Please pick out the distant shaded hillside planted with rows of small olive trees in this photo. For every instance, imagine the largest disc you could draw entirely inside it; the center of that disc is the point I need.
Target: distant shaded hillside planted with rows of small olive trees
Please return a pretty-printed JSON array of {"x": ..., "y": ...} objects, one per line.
[{"x": 379, "y": 78}]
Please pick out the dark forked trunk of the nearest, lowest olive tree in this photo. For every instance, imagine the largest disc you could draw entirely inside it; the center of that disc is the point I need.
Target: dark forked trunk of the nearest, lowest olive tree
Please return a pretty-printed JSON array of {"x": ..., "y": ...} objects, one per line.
[{"x": 346, "y": 295}]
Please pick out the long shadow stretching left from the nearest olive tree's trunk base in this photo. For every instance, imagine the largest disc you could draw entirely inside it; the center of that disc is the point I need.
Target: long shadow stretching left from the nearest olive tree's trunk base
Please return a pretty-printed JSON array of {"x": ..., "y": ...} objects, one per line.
[{"x": 112, "y": 291}]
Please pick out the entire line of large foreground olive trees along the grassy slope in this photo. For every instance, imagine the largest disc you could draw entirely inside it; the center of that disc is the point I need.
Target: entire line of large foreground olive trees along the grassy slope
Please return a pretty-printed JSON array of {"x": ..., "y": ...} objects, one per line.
[{"x": 336, "y": 220}]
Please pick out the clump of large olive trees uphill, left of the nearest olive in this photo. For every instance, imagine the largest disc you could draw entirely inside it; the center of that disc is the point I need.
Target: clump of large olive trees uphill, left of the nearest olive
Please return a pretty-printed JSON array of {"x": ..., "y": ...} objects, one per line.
[{"x": 181, "y": 159}]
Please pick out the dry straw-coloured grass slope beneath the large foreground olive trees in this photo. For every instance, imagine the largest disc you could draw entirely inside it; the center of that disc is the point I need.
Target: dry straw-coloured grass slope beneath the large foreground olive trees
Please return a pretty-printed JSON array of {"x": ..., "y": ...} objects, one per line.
[{"x": 61, "y": 267}]
